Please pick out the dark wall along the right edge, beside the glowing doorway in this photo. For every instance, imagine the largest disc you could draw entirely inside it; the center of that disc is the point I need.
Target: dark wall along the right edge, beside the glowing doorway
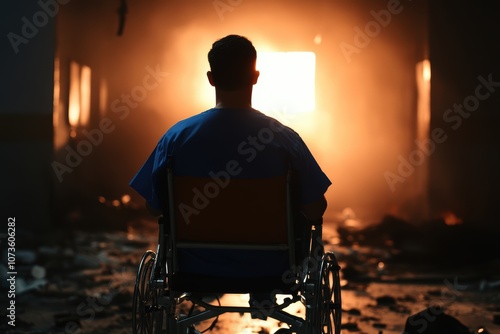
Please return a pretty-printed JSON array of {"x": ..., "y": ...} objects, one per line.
[{"x": 465, "y": 47}]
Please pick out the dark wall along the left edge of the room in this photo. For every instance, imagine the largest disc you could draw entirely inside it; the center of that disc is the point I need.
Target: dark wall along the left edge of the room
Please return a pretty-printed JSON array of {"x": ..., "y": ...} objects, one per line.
[{"x": 26, "y": 81}]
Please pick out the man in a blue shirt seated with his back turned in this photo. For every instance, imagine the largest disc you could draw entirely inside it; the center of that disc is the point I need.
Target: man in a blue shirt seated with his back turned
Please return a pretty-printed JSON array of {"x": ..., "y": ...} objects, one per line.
[{"x": 259, "y": 145}]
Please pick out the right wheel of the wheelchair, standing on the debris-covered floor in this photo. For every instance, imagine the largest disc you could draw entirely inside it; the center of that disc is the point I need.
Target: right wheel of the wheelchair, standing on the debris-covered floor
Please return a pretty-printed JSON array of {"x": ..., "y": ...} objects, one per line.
[{"x": 327, "y": 314}]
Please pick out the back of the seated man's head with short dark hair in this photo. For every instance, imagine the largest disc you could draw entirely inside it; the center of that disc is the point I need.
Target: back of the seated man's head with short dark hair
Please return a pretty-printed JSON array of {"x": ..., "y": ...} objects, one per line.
[{"x": 232, "y": 62}]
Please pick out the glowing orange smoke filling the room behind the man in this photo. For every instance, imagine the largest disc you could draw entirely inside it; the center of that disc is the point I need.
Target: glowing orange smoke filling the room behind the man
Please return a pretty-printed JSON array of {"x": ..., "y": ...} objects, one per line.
[{"x": 365, "y": 101}]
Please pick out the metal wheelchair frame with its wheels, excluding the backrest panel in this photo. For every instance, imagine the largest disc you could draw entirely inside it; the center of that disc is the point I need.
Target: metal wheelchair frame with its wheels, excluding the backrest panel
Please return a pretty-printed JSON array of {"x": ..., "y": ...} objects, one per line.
[{"x": 316, "y": 284}]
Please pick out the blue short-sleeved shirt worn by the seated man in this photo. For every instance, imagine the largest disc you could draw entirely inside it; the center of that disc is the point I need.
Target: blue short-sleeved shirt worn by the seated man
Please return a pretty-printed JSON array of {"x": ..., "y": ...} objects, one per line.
[{"x": 246, "y": 144}]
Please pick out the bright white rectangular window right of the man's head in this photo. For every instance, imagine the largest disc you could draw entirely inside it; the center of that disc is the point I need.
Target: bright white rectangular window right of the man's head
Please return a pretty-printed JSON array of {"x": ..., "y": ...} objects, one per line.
[{"x": 287, "y": 82}]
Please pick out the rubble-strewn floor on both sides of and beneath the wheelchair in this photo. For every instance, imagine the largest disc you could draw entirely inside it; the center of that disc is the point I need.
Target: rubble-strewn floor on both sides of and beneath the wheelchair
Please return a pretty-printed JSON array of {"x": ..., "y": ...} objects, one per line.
[{"x": 86, "y": 282}]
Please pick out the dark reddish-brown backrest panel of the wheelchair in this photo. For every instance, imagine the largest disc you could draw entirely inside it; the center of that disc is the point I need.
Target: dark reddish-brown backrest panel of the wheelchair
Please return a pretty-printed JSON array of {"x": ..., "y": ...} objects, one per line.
[{"x": 234, "y": 213}]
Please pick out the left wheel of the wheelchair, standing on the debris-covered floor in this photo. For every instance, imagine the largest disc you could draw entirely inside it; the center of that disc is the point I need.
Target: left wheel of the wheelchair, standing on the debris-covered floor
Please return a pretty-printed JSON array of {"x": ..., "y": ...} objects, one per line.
[{"x": 148, "y": 316}]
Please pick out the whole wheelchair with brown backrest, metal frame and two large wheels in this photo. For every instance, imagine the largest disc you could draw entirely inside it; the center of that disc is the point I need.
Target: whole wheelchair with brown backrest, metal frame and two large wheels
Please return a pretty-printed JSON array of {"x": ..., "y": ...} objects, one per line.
[{"x": 201, "y": 214}]
